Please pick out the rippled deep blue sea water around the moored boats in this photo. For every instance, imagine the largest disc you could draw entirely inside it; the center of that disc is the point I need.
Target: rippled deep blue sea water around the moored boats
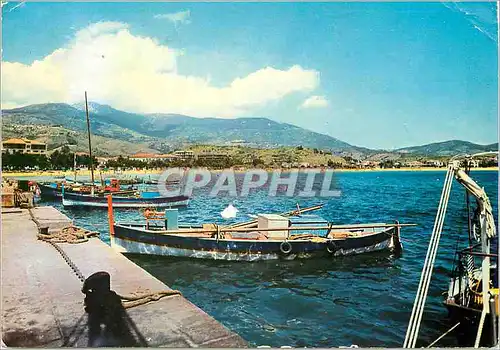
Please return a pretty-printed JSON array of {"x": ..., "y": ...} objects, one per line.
[{"x": 364, "y": 300}]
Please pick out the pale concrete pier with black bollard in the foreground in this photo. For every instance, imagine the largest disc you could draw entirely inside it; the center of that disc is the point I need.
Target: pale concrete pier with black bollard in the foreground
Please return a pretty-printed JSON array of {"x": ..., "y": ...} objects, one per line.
[{"x": 43, "y": 304}]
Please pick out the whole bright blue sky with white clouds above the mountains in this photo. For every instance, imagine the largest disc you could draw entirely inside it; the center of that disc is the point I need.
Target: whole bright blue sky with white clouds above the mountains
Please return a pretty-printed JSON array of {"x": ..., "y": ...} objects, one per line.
[{"x": 378, "y": 75}]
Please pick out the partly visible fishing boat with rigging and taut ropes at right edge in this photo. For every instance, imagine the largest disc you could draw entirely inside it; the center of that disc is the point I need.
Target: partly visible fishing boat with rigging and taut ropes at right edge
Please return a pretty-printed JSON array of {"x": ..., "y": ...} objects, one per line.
[{"x": 472, "y": 298}]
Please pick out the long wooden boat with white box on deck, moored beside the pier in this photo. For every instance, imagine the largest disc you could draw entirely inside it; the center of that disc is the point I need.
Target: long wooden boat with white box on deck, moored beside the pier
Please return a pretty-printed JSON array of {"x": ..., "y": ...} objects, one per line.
[{"x": 271, "y": 236}]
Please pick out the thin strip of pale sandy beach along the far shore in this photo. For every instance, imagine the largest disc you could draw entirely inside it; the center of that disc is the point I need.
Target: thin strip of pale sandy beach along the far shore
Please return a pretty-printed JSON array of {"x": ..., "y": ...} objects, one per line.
[{"x": 97, "y": 174}]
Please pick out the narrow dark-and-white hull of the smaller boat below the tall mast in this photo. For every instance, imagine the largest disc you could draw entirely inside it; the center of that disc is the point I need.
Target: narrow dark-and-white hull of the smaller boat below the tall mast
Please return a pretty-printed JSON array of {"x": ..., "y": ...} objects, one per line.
[{"x": 74, "y": 200}]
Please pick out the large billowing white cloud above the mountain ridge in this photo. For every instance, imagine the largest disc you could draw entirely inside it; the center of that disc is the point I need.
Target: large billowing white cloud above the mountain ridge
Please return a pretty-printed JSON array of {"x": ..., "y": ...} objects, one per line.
[{"x": 138, "y": 74}]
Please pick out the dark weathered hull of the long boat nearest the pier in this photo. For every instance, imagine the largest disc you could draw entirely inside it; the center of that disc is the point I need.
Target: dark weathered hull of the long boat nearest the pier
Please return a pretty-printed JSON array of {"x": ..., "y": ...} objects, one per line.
[{"x": 135, "y": 240}]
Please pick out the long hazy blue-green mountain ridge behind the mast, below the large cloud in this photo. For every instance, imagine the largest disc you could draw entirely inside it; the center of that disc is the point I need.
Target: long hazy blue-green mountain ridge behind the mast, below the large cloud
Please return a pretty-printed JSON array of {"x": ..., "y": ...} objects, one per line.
[{"x": 176, "y": 130}]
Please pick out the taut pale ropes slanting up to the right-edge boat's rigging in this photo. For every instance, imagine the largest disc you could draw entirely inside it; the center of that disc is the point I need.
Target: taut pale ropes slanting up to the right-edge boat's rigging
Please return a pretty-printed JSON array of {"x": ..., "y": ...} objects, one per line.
[{"x": 418, "y": 306}]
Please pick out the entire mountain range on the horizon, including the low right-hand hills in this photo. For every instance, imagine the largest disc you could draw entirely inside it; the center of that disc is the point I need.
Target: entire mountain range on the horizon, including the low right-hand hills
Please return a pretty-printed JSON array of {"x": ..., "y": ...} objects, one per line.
[{"x": 60, "y": 123}]
